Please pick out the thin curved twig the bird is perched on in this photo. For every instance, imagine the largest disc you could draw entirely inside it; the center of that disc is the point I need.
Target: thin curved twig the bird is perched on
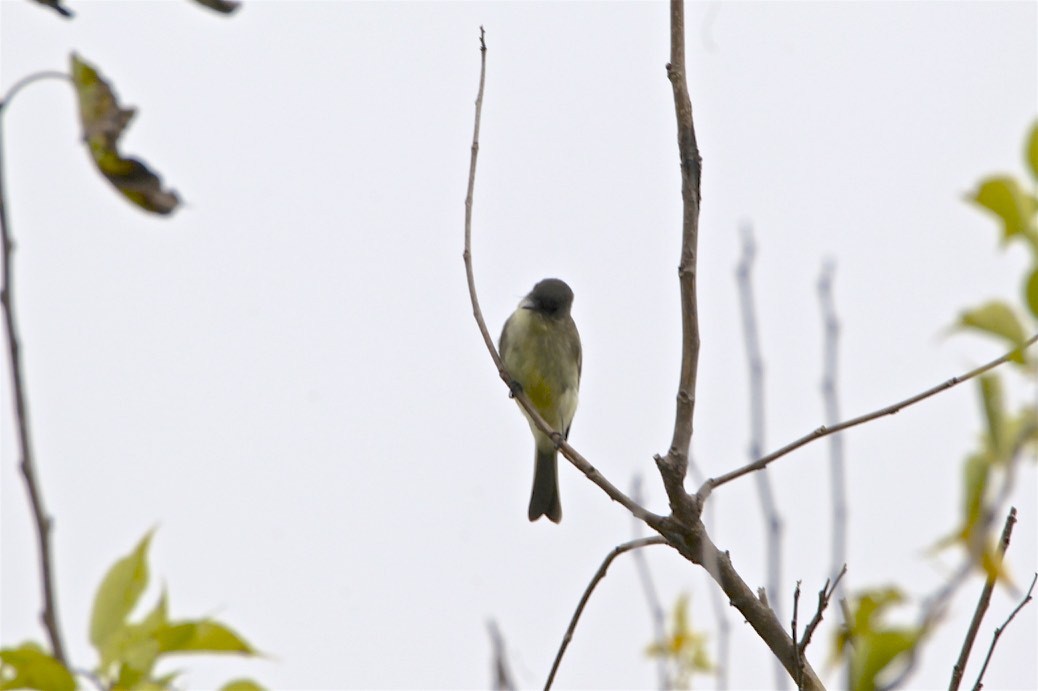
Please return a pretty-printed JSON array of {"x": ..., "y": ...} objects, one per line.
[{"x": 571, "y": 454}]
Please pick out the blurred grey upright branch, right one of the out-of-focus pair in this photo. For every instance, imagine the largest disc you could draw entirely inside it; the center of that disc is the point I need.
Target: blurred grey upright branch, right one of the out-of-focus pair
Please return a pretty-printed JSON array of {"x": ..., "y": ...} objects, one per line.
[{"x": 838, "y": 481}]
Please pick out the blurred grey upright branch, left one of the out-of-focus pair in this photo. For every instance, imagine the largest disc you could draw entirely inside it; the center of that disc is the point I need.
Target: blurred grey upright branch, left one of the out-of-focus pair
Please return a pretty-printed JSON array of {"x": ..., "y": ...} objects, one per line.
[{"x": 773, "y": 522}]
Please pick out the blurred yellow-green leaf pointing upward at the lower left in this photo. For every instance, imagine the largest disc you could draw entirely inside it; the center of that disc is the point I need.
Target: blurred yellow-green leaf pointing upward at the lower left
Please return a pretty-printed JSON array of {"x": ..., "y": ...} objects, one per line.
[{"x": 119, "y": 595}]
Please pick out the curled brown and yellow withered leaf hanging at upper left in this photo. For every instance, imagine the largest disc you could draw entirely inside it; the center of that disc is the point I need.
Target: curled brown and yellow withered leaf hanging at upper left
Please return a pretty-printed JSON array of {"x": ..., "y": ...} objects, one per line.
[{"x": 104, "y": 122}]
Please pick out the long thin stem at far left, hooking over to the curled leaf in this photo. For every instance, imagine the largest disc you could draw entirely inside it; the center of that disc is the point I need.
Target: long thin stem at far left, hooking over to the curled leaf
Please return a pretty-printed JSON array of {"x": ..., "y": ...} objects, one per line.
[{"x": 28, "y": 463}]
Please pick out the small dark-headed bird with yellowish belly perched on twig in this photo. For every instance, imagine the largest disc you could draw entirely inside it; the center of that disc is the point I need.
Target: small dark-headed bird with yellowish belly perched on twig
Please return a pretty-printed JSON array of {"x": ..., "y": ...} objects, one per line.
[{"x": 541, "y": 350}]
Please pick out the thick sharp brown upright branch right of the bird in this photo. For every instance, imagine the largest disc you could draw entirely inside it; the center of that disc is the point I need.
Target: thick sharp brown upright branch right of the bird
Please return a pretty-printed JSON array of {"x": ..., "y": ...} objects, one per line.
[{"x": 674, "y": 466}]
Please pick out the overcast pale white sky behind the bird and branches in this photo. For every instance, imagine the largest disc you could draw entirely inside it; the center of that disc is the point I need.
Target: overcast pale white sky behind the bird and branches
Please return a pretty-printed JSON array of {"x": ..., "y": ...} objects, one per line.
[{"x": 286, "y": 377}]
